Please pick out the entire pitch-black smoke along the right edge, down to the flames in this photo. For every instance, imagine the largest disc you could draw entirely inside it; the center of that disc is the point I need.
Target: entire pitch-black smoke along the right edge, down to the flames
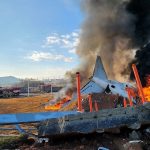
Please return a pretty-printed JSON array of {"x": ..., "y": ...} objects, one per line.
[{"x": 141, "y": 10}]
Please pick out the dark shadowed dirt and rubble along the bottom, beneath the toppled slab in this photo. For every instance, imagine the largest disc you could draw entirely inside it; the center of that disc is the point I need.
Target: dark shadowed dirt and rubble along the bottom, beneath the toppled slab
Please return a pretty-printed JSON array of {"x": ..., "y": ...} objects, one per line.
[{"x": 112, "y": 139}]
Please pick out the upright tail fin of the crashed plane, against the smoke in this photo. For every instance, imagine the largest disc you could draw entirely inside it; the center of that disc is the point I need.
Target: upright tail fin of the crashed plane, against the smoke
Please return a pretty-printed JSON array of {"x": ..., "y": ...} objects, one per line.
[{"x": 99, "y": 70}]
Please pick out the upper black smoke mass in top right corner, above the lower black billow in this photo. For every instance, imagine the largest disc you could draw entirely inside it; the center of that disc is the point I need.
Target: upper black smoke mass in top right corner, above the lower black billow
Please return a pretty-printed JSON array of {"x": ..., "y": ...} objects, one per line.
[{"x": 140, "y": 9}]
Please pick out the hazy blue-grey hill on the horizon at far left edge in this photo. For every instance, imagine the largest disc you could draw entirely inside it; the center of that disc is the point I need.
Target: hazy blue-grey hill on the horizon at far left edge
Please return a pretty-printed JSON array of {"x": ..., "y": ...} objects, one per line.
[{"x": 8, "y": 80}]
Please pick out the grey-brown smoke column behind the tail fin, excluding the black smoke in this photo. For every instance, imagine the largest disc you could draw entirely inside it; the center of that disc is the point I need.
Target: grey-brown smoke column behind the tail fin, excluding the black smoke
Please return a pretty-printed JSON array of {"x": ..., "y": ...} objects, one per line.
[{"x": 106, "y": 31}]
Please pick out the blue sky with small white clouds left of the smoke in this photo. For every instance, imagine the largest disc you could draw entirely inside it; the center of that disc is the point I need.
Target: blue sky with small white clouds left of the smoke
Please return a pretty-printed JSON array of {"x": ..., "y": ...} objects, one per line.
[{"x": 38, "y": 38}]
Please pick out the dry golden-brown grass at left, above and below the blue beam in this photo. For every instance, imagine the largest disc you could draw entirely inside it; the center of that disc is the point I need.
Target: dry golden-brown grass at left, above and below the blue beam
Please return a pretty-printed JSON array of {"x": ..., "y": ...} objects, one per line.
[{"x": 22, "y": 105}]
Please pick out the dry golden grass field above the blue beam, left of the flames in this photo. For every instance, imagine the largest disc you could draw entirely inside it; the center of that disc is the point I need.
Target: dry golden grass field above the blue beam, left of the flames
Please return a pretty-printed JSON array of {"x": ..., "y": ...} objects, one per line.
[{"x": 24, "y": 104}]
